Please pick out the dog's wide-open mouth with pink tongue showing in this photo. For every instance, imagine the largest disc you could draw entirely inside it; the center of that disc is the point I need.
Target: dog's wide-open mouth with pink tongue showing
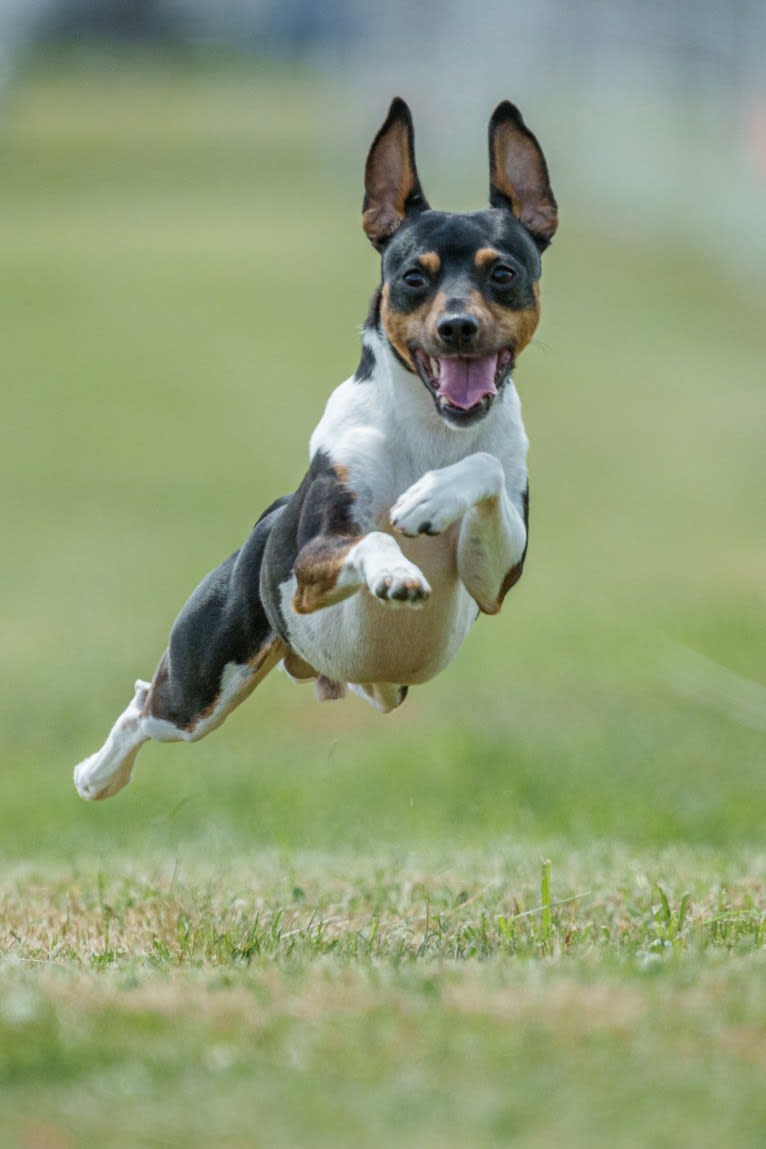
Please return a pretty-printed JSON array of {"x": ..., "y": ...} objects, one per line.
[{"x": 463, "y": 389}]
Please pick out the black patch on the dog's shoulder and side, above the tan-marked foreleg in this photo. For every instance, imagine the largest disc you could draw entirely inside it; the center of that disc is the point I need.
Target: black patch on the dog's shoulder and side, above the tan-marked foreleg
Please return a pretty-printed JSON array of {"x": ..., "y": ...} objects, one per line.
[{"x": 322, "y": 508}]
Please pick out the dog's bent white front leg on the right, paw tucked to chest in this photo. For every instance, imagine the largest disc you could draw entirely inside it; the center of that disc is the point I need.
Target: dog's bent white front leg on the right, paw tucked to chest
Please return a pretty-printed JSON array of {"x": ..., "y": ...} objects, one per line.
[{"x": 493, "y": 531}]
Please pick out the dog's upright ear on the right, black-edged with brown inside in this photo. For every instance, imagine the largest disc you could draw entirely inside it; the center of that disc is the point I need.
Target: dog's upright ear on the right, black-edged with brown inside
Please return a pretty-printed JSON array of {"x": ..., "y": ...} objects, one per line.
[{"x": 519, "y": 175}]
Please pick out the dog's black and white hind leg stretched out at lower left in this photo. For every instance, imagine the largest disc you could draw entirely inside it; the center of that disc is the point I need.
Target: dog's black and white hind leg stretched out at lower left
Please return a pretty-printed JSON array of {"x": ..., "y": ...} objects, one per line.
[{"x": 221, "y": 647}]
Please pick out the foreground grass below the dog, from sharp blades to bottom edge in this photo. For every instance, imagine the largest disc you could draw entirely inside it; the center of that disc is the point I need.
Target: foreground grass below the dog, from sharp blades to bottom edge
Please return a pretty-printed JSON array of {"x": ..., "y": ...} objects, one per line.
[{"x": 338, "y": 999}]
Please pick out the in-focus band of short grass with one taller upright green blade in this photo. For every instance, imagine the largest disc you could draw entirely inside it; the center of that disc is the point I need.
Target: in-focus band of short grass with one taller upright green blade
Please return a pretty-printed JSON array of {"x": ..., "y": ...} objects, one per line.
[{"x": 121, "y": 922}]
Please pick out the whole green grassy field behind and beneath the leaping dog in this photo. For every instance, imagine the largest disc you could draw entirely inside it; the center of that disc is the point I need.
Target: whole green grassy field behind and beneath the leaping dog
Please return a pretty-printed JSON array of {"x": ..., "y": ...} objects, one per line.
[{"x": 529, "y": 908}]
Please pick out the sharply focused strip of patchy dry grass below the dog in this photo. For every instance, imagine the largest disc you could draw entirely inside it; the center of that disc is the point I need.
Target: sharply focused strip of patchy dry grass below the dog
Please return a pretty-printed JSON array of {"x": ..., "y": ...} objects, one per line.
[{"x": 484, "y": 907}]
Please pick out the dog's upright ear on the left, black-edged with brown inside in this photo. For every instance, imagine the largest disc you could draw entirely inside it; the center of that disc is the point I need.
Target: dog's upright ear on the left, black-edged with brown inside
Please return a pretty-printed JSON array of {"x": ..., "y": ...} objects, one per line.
[{"x": 392, "y": 189}]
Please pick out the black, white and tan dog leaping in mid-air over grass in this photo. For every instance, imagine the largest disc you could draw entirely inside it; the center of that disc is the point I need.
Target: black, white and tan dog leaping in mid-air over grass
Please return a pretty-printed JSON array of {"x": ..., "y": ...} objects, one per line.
[{"x": 414, "y": 515}]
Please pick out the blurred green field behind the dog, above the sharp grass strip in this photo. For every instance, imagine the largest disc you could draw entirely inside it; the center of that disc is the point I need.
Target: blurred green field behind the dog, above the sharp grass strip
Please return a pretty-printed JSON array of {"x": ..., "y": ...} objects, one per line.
[{"x": 182, "y": 282}]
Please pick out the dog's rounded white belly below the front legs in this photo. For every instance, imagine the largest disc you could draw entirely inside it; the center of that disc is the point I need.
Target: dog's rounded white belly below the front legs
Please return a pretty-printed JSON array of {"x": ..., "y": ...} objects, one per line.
[{"x": 365, "y": 641}]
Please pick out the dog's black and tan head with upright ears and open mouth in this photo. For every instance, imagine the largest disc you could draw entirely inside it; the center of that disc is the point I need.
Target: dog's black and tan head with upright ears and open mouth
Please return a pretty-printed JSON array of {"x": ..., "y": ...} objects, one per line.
[{"x": 461, "y": 291}]
